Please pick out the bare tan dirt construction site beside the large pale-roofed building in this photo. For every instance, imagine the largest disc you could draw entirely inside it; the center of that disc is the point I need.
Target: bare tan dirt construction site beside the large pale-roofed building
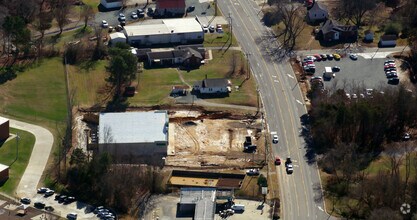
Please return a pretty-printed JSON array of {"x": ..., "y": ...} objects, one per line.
[{"x": 213, "y": 140}]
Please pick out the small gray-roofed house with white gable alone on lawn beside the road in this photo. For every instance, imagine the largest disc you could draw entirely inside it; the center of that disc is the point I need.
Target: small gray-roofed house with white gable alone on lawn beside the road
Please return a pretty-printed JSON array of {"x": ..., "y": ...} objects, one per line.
[{"x": 211, "y": 86}]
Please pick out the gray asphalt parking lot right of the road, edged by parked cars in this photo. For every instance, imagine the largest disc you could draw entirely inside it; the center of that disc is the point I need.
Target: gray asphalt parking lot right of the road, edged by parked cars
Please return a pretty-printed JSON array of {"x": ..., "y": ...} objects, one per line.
[{"x": 355, "y": 74}]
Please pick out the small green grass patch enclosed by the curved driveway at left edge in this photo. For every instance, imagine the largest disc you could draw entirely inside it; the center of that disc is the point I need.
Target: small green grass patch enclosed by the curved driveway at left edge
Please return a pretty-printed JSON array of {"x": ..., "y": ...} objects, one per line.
[{"x": 8, "y": 156}]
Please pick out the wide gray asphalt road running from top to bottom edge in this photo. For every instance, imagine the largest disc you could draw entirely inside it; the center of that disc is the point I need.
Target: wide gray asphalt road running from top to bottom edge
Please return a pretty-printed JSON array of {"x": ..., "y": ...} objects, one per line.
[{"x": 284, "y": 105}]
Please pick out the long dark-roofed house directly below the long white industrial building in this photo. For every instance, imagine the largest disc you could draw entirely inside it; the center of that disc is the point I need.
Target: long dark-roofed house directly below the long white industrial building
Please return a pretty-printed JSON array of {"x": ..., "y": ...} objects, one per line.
[{"x": 185, "y": 56}]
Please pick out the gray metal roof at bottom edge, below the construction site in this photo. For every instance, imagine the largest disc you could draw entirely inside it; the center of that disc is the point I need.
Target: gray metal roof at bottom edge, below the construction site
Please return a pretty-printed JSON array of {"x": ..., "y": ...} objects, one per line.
[{"x": 204, "y": 200}]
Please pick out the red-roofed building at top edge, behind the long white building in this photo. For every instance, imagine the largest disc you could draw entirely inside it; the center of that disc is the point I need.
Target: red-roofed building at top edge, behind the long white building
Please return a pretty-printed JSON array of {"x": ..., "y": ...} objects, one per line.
[{"x": 170, "y": 8}]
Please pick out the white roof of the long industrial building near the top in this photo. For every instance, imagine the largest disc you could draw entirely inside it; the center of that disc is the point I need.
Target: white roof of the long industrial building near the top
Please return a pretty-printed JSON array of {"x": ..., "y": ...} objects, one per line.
[{"x": 163, "y": 26}]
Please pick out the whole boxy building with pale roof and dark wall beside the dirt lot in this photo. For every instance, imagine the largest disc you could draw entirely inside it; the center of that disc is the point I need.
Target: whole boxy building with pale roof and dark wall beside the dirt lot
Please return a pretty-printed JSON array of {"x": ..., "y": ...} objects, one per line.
[{"x": 133, "y": 137}]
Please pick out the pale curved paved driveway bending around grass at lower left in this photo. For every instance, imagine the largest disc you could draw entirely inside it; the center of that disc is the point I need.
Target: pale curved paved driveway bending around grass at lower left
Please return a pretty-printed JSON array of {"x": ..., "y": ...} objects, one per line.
[{"x": 38, "y": 159}]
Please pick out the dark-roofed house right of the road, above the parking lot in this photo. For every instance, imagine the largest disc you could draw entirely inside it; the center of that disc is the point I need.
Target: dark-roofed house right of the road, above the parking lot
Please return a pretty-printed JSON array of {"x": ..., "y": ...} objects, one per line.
[{"x": 332, "y": 31}]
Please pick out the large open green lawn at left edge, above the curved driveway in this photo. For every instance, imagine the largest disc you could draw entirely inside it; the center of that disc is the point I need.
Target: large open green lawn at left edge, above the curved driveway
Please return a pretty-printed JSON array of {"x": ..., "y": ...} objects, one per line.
[{"x": 37, "y": 94}]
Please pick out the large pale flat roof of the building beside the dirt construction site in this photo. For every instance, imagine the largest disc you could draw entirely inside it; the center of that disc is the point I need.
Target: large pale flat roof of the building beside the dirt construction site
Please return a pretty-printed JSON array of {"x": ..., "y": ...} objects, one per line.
[{"x": 133, "y": 127}]
